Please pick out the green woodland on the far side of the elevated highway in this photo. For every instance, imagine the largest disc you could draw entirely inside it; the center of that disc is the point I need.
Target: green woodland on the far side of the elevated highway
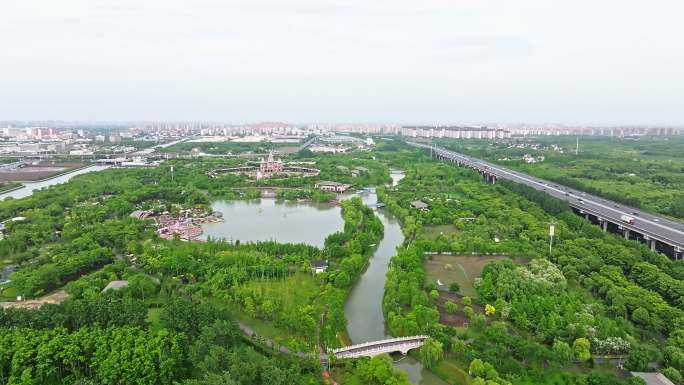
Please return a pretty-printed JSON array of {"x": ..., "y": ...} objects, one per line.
[{"x": 641, "y": 172}]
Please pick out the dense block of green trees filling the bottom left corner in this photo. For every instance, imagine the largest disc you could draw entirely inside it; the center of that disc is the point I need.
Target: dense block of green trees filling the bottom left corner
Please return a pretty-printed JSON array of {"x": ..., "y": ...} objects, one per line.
[{"x": 110, "y": 356}]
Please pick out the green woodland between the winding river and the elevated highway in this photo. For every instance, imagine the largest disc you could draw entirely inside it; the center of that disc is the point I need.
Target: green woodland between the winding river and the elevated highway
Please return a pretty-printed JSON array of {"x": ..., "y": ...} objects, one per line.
[{"x": 596, "y": 295}]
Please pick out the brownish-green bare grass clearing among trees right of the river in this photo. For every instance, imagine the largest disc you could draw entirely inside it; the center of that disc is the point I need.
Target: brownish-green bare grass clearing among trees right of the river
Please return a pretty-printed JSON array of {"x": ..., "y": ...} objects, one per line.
[{"x": 457, "y": 268}]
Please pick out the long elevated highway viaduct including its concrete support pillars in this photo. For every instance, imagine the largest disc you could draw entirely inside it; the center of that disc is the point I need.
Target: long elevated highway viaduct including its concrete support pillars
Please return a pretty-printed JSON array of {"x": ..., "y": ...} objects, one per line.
[{"x": 659, "y": 233}]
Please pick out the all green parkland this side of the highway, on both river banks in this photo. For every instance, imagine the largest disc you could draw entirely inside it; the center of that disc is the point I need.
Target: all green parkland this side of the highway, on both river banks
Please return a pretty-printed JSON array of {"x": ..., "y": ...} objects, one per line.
[{"x": 527, "y": 317}]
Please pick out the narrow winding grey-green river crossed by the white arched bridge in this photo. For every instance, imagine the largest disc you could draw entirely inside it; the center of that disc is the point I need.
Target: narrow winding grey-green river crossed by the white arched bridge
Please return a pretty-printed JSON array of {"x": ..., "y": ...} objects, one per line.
[{"x": 363, "y": 310}]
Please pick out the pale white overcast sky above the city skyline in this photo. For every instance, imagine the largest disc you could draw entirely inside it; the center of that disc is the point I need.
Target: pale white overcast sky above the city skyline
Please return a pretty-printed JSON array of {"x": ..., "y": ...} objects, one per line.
[{"x": 410, "y": 61}]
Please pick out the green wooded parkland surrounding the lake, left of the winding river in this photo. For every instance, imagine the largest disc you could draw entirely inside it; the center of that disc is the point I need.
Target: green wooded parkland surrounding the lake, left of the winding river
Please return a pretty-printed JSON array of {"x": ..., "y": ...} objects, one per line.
[{"x": 178, "y": 319}]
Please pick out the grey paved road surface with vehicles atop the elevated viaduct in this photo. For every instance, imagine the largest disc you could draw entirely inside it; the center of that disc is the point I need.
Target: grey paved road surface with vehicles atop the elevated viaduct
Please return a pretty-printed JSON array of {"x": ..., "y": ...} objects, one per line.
[{"x": 654, "y": 226}]
